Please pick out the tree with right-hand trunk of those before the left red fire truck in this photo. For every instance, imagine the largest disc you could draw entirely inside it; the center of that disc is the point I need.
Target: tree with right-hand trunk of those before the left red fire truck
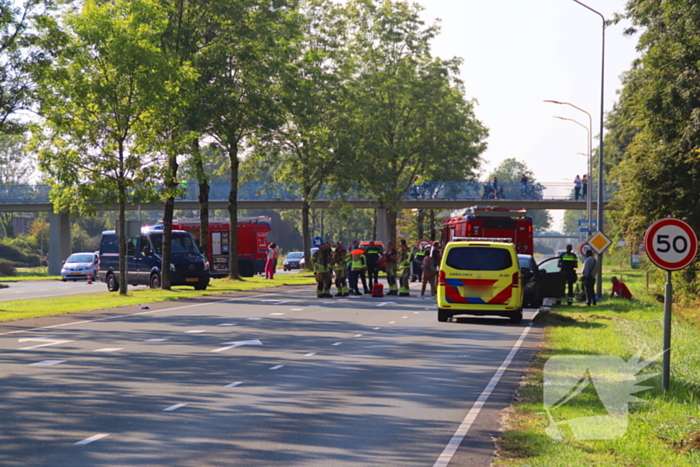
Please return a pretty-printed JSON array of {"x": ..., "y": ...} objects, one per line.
[{"x": 242, "y": 65}]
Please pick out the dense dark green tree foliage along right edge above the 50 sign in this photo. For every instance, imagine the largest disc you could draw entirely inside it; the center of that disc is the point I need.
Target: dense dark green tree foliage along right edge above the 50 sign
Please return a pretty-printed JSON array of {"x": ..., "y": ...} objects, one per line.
[{"x": 659, "y": 174}]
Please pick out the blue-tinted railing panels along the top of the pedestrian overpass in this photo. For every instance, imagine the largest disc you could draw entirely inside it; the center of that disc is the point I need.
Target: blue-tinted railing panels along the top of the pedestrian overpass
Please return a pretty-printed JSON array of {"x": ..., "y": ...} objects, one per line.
[{"x": 265, "y": 191}]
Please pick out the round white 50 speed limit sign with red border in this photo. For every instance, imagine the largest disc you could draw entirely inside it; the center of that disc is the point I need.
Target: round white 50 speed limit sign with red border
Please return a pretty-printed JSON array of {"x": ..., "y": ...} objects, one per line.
[{"x": 671, "y": 244}]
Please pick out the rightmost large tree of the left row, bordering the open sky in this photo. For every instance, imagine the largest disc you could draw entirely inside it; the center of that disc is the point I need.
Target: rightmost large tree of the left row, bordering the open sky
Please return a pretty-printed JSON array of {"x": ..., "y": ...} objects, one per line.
[{"x": 408, "y": 106}]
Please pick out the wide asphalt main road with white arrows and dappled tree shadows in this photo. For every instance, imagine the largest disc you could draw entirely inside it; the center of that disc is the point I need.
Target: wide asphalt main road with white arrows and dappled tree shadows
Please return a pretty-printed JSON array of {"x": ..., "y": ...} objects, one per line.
[{"x": 274, "y": 377}]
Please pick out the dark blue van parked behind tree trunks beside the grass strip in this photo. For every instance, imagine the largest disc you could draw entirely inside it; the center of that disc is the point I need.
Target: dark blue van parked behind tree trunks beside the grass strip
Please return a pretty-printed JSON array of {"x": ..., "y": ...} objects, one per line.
[{"x": 144, "y": 262}]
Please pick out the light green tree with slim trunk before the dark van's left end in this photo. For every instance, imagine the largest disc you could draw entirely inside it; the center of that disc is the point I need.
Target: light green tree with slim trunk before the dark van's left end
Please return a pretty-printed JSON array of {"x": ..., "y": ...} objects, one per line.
[{"x": 96, "y": 97}]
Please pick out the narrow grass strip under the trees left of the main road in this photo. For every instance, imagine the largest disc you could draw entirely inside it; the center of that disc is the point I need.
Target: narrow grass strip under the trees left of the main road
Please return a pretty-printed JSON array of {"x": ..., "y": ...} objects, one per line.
[{"x": 23, "y": 309}]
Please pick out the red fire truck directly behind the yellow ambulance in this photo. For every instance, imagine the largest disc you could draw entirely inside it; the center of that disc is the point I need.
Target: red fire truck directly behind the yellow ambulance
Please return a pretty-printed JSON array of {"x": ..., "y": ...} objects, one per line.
[{"x": 489, "y": 222}]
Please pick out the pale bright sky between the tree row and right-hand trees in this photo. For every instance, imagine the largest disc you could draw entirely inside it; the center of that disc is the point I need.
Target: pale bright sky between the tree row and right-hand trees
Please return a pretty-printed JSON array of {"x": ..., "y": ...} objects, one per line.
[{"x": 518, "y": 53}]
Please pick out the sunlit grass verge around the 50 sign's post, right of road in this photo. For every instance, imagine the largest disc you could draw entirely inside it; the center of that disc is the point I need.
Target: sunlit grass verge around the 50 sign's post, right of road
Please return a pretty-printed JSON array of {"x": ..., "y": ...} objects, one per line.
[{"x": 664, "y": 430}]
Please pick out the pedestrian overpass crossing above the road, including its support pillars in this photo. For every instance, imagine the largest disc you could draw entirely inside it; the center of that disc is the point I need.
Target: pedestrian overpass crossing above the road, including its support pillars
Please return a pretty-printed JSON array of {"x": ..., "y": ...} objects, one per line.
[{"x": 266, "y": 195}]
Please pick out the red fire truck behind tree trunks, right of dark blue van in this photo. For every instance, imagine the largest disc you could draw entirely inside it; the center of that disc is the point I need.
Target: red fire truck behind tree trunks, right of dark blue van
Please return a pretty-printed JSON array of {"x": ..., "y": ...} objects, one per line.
[{"x": 252, "y": 243}]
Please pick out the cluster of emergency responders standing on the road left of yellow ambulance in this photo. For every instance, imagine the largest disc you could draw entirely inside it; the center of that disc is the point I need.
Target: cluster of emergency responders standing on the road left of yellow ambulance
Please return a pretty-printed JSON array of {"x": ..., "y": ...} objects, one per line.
[{"x": 349, "y": 265}]
